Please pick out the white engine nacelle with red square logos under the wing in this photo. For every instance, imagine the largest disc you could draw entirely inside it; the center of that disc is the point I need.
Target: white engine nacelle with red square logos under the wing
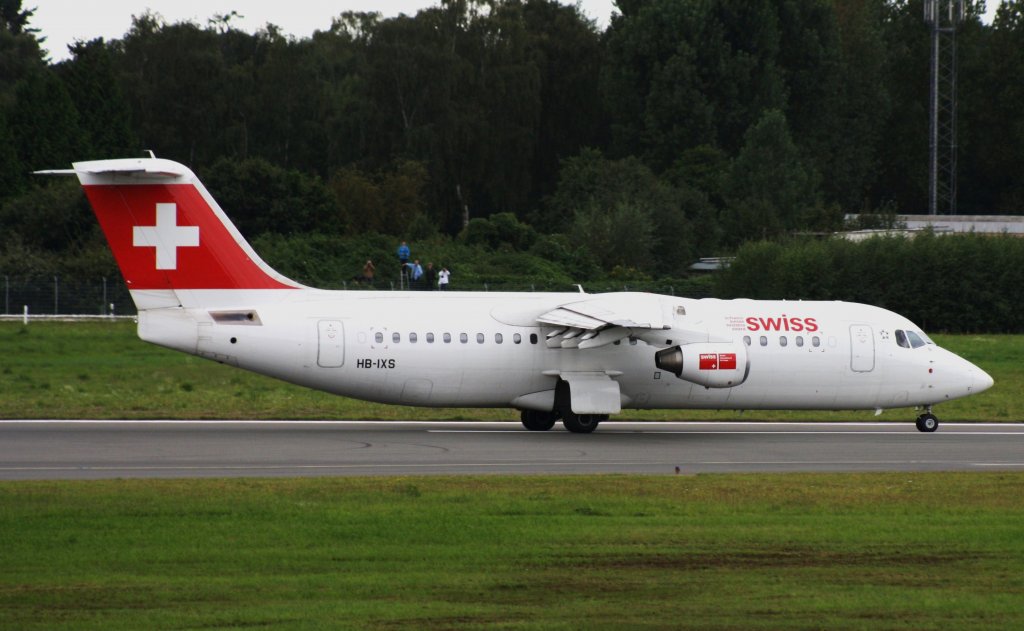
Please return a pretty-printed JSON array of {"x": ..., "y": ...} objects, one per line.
[{"x": 713, "y": 365}]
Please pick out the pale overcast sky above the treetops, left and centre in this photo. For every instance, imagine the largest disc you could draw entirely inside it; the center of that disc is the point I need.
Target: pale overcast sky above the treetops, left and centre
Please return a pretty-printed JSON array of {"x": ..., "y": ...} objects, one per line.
[{"x": 63, "y": 22}]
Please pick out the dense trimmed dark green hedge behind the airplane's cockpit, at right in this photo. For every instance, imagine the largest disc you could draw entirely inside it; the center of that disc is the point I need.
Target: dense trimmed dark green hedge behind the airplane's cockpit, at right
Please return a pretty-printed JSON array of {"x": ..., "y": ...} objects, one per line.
[{"x": 965, "y": 283}]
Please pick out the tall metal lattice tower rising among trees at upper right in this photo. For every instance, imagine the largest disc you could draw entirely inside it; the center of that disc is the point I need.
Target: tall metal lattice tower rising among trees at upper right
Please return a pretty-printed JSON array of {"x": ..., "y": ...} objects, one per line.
[{"x": 944, "y": 17}]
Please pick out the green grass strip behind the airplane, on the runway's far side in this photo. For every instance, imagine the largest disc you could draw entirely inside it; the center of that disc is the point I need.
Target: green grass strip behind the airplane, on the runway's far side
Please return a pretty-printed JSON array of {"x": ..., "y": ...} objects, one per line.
[{"x": 102, "y": 370}]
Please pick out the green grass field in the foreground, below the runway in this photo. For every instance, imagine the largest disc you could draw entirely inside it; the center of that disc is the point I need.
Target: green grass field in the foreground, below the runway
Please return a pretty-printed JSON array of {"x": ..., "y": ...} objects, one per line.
[{"x": 794, "y": 552}]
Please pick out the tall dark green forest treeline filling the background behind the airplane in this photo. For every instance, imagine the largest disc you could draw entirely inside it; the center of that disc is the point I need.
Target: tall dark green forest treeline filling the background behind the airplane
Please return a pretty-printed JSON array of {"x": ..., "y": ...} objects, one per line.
[{"x": 514, "y": 135}]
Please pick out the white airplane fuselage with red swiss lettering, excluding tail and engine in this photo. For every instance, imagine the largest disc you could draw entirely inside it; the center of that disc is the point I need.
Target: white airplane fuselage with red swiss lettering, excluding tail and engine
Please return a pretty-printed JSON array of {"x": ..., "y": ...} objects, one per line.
[{"x": 487, "y": 350}]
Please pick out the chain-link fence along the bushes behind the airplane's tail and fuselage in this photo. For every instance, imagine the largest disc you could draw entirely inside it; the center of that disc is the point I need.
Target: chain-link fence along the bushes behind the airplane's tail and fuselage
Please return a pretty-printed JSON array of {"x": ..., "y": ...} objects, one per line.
[{"x": 109, "y": 297}]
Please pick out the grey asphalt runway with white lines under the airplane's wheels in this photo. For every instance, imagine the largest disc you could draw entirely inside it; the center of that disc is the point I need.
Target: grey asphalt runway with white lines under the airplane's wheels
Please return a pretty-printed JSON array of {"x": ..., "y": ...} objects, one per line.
[{"x": 68, "y": 450}]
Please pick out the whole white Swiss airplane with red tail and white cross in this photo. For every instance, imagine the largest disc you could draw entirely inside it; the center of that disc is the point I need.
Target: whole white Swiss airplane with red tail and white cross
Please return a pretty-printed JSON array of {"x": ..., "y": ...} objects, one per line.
[{"x": 200, "y": 288}]
